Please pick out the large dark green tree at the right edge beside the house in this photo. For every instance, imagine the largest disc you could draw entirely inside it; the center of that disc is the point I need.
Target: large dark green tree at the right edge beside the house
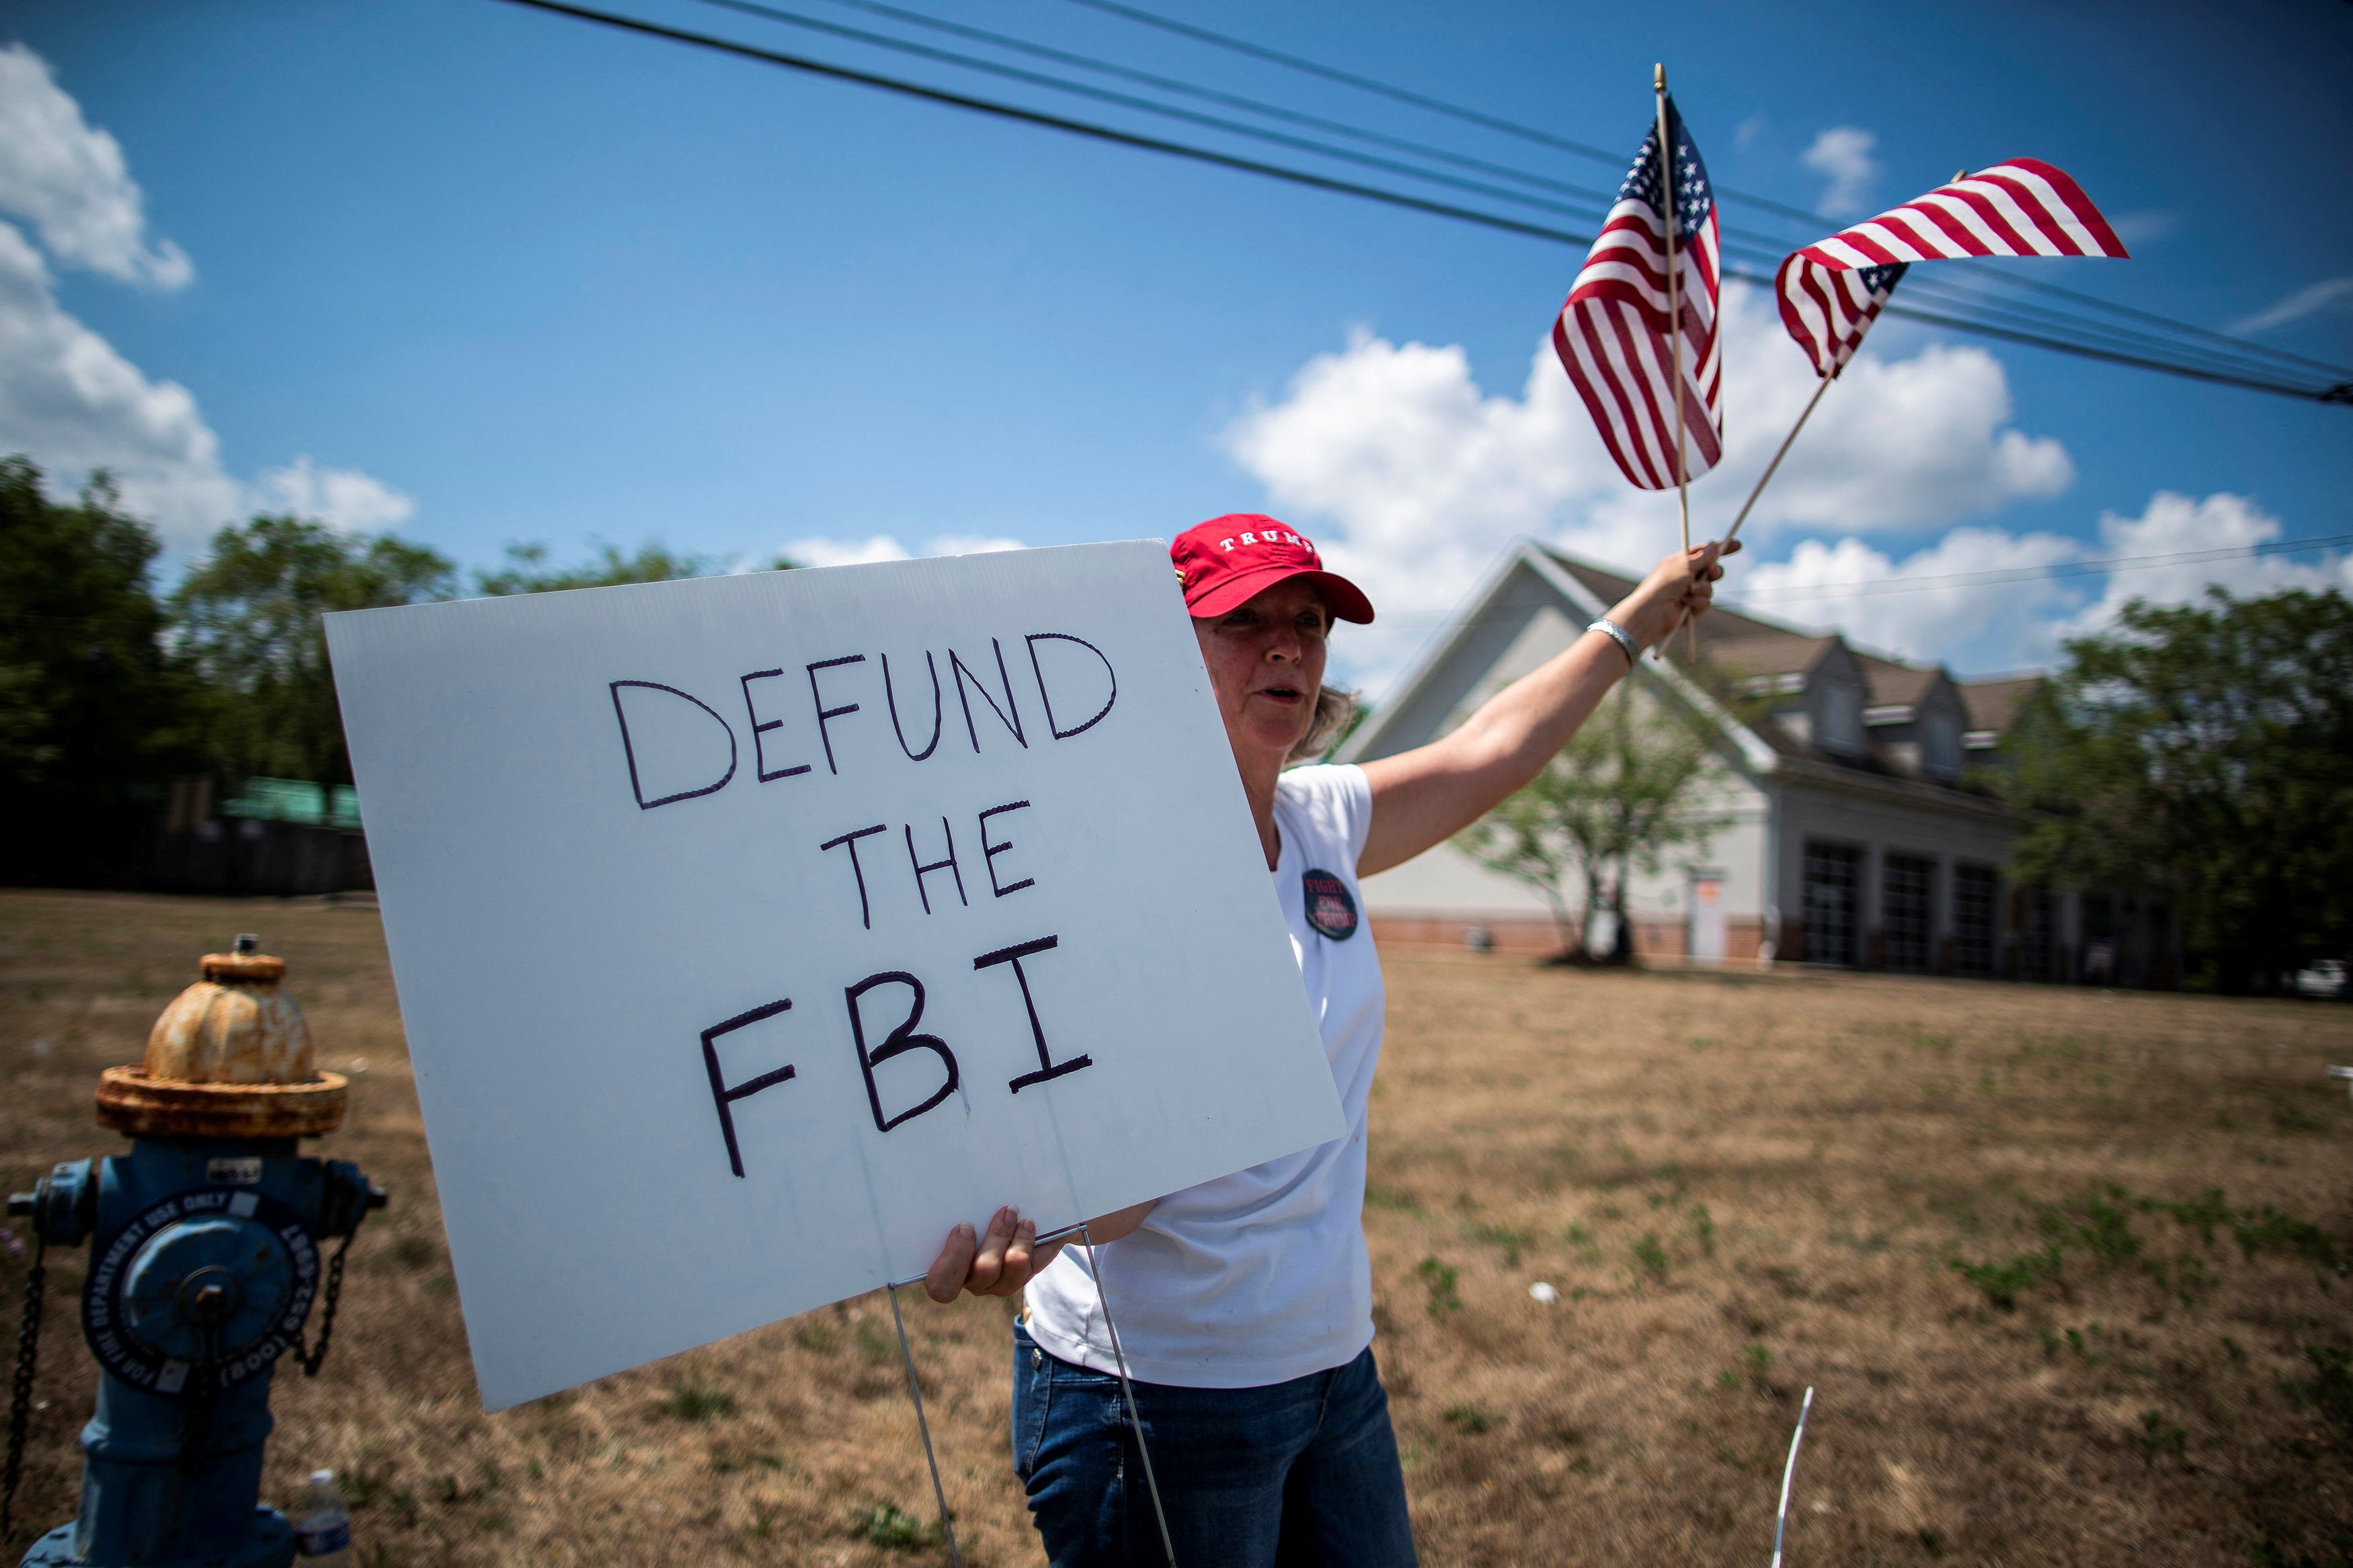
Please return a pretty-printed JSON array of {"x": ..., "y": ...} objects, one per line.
[{"x": 2204, "y": 753}]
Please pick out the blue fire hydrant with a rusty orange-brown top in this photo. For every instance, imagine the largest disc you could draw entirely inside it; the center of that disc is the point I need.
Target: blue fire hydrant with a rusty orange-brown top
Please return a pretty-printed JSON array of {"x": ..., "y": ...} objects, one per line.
[{"x": 204, "y": 1271}]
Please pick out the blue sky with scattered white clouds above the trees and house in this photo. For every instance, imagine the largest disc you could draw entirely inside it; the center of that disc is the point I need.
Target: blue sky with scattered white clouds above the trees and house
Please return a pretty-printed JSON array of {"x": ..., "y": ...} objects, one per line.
[{"x": 491, "y": 276}]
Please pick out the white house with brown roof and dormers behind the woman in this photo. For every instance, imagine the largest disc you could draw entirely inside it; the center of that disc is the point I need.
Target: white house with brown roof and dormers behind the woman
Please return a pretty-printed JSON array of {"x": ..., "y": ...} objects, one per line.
[{"x": 1858, "y": 831}]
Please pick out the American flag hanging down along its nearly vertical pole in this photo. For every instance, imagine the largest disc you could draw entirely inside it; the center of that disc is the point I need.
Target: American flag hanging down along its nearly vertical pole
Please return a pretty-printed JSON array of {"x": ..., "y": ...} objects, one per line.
[{"x": 1613, "y": 333}]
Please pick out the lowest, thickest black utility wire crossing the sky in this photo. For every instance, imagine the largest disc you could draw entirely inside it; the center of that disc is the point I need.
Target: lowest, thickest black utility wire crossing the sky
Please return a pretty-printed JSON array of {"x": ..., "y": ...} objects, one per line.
[{"x": 1375, "y": 194}]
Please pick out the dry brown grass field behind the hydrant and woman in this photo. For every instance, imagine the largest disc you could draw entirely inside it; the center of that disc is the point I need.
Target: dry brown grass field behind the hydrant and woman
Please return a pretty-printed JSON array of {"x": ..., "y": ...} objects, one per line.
[{"x": 2072, "y": 1275}]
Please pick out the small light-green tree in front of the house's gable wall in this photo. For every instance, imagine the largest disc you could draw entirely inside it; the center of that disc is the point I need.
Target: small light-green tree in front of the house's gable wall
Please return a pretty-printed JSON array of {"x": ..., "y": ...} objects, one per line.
[{"x": 1620, "y": 798}]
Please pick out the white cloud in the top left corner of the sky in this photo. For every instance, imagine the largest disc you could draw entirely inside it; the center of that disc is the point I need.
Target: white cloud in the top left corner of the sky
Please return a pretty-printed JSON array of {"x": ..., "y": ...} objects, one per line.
[{"x": 69, "y": 180}]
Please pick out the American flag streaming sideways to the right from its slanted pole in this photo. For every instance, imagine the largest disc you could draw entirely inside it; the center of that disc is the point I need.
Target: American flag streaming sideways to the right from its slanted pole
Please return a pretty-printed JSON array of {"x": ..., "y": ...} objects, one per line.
[{"x": 1837, "y": 288}]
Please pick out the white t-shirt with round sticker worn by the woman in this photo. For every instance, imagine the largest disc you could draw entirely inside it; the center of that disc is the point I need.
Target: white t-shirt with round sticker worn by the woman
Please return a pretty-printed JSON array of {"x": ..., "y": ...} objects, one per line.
[{"x": 1262, "y": 1275}]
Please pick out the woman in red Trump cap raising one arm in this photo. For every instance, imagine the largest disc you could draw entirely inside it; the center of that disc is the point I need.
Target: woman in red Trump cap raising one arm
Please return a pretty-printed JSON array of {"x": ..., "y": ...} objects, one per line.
[{"x": 1246, "y": 1306}]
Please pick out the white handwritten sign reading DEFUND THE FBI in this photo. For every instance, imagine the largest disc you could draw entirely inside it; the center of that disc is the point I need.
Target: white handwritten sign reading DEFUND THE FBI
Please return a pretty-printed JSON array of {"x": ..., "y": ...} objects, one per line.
[{"x": 752, "y": 932}]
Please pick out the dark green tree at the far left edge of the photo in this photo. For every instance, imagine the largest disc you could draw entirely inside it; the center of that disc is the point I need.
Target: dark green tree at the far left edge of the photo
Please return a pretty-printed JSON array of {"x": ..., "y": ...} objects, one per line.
[{"x": 88, "y": 706}]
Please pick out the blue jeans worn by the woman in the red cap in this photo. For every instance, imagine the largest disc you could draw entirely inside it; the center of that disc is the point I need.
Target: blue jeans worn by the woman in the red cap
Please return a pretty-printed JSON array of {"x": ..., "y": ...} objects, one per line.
[{"x": 1288, "y": 1475}]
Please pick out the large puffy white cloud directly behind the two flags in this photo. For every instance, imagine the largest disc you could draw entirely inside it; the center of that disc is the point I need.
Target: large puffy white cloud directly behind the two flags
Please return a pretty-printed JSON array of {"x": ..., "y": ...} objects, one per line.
[{"x": 1413, "y": 478}]
